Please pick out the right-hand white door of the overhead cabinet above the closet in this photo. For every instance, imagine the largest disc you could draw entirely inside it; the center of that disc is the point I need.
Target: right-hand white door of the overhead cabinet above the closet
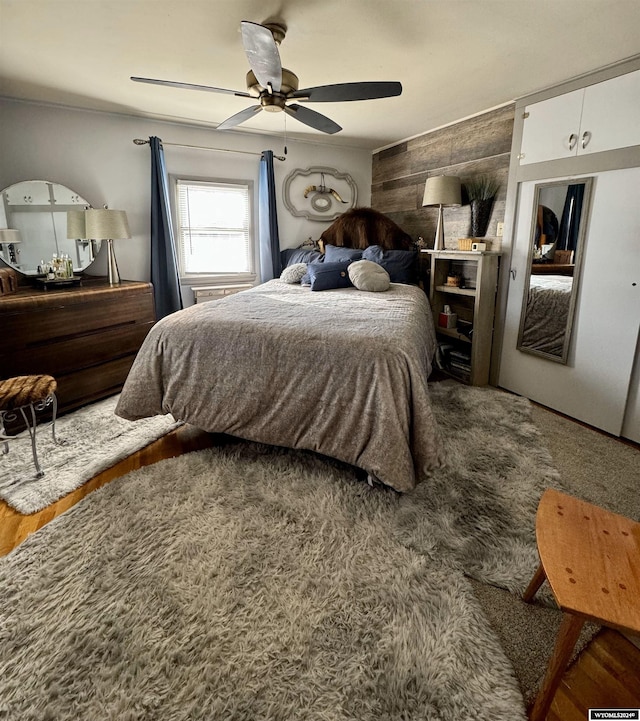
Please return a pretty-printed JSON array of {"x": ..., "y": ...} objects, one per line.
[{"x": 610, "y": 115}]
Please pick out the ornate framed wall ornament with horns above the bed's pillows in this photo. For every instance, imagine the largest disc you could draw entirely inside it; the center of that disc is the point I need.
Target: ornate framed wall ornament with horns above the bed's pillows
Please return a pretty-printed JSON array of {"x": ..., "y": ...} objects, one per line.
[{"x": 319, "y": 193}]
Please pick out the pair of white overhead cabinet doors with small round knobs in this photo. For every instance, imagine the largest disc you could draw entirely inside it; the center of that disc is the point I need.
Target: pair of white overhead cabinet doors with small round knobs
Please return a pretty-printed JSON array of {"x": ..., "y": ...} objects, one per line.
[{"x": 594, "y": 119}]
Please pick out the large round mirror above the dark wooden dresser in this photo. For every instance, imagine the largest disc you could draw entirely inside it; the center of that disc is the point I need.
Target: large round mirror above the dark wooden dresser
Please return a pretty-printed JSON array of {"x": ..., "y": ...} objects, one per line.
[{"x": 33, "y": 226}]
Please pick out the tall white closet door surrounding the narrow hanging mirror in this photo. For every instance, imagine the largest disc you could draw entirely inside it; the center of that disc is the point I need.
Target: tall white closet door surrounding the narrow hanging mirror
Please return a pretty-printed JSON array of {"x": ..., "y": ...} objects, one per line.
[{"x": 594, "y": 385}]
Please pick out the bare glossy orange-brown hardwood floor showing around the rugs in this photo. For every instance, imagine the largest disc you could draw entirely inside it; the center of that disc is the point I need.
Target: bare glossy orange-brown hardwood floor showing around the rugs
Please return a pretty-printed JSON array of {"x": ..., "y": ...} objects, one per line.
[{"x": 606, "y": 674}]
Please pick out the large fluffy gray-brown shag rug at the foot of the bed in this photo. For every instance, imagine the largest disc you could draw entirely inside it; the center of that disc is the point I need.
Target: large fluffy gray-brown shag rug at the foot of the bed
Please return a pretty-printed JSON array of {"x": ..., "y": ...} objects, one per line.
[{"x": 247, "y": 582}]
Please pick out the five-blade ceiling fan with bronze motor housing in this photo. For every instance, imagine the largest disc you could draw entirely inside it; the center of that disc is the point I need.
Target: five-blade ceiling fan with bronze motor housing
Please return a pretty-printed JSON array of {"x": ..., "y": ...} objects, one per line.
[{"x": 274, "y": 86}]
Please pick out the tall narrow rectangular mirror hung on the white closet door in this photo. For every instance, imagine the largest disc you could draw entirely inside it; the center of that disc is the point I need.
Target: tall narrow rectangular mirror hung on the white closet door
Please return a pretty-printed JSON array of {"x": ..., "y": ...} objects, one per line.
[{"x": 556, "y": 247}]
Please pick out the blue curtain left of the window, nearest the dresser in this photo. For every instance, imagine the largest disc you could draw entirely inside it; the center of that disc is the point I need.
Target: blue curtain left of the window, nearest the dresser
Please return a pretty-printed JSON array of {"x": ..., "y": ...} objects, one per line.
[{"x": 164, "y": 266}]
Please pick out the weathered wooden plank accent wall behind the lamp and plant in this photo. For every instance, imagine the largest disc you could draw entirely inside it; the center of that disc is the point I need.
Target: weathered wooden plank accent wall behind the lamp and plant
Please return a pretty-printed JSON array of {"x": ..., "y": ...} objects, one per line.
[{"x": 469, "y": 148}]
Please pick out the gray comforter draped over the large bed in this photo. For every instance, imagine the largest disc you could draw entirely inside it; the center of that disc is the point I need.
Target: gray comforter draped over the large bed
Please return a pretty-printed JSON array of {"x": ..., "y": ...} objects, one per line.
[{"x": 340, "y": 372}]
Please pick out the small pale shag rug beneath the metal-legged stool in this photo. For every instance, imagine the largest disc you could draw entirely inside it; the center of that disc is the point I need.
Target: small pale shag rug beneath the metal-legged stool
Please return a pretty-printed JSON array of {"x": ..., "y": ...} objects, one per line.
[{"x": 90, "y": 440}]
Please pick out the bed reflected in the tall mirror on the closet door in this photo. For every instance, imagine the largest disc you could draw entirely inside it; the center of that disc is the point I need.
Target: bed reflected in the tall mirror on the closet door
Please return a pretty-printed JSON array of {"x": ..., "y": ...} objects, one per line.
[{"x": 547, "y": 312}]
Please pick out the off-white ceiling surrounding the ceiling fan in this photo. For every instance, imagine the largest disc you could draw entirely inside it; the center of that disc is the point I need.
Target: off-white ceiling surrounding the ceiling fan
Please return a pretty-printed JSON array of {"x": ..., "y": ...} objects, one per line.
[{"x": 454, "y": 58}]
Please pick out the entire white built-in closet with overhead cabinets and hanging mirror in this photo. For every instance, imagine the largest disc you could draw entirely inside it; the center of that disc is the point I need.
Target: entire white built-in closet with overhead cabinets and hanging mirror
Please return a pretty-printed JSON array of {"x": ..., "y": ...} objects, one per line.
[{"x": 596, "y": 377}]
